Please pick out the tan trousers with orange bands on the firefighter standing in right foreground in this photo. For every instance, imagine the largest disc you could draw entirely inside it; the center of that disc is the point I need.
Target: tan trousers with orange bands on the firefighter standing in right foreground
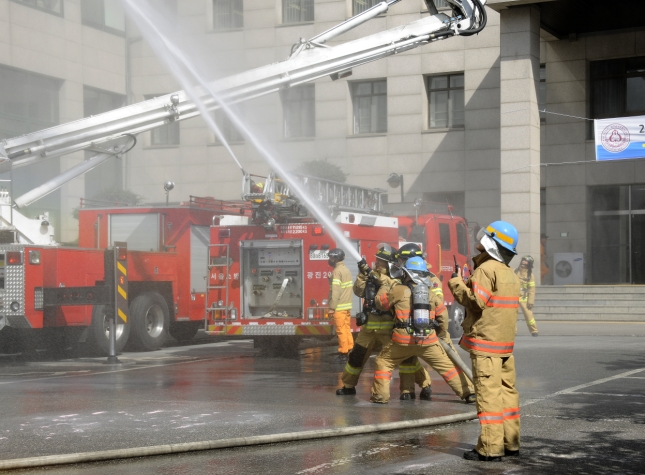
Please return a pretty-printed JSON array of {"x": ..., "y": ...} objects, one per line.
[{"x": 498, "y": 404}]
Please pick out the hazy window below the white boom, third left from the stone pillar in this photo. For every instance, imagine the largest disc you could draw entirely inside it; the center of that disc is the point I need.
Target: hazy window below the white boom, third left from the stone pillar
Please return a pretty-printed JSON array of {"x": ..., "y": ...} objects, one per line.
[{"x": 299, "y": 111}]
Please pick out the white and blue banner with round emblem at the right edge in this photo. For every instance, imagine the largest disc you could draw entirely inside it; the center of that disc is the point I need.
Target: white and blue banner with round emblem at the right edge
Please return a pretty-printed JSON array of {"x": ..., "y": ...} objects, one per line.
[{"x": 620, "y": 138}]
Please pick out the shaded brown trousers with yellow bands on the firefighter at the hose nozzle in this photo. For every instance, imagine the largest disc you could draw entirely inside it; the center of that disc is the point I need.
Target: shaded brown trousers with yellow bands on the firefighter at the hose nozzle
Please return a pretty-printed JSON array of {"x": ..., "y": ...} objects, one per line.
[{"x": 410, "y": 370}]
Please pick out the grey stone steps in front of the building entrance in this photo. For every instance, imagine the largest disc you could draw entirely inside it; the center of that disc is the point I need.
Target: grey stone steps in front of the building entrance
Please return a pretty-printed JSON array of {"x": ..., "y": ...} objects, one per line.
[{"x": 590, "y": 302}]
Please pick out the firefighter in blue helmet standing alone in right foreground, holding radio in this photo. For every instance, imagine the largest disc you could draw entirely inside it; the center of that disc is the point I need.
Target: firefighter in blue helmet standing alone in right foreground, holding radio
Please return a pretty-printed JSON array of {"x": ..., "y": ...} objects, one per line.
[{"x": 491, "y": 298}]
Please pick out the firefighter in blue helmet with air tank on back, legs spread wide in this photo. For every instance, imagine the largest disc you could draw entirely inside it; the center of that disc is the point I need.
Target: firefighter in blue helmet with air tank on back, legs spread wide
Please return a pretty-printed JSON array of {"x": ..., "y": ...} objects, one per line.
[{"x": 412, "y": 340}]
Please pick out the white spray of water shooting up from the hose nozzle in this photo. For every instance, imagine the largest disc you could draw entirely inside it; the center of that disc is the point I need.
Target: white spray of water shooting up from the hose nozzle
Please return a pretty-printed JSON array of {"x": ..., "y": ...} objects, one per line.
[{"x": 181, "y": 67}]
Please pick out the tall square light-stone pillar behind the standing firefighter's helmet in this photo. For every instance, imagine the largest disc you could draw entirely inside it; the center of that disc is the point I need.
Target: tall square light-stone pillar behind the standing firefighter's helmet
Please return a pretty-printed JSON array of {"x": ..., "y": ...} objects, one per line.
[{"x": 520, "y": 127}]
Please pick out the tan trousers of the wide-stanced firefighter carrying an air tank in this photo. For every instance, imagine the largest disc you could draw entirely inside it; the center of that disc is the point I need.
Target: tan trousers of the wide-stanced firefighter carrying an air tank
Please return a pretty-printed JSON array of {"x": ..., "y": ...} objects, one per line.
[{"x": 394, "y": 354}]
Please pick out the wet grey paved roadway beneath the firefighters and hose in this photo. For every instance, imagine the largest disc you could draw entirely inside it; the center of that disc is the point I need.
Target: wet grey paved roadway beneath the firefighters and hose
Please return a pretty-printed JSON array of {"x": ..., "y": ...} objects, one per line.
[{"x": 583, "y": 410}]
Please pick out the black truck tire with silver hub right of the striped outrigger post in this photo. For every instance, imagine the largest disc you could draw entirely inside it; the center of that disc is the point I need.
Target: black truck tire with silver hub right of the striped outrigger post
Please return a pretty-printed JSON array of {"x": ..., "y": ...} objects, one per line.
[{"x": 150, "y": 321}]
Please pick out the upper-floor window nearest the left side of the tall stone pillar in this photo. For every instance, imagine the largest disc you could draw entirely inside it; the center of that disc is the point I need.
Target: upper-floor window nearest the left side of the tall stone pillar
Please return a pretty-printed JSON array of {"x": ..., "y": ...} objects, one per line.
[{"x": 446, "y": 97}]
